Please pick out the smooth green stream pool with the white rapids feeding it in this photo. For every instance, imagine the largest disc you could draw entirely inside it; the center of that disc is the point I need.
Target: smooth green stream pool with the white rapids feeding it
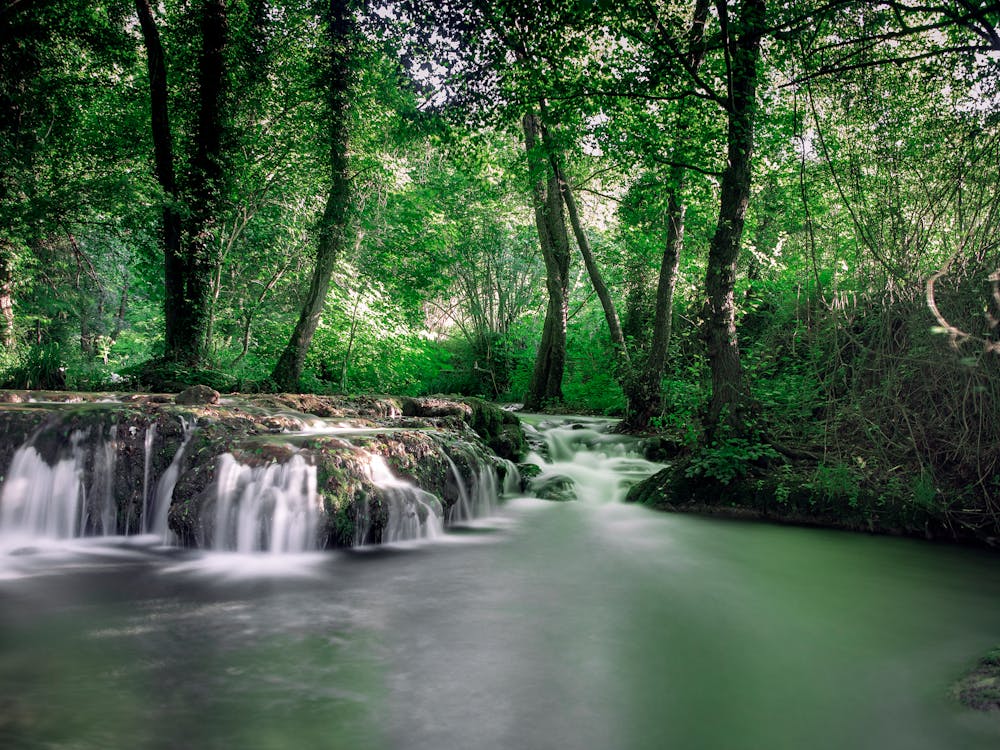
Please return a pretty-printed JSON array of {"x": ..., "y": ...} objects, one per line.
[{"x": 585, "y": 625}]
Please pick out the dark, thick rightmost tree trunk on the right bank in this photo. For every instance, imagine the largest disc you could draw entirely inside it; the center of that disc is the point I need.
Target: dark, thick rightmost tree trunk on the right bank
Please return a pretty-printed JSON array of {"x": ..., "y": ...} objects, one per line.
[{"x": 730, "y": 397}]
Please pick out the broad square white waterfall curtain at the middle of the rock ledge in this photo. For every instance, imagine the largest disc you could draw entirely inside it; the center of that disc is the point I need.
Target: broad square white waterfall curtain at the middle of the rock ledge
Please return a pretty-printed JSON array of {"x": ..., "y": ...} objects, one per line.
[{"x": 273, "y": 508}]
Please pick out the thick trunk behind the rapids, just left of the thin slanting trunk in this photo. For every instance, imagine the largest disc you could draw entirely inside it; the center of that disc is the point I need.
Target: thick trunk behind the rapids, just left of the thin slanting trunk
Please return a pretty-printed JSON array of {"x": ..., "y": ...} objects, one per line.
[{"x": 550, "y": 361}]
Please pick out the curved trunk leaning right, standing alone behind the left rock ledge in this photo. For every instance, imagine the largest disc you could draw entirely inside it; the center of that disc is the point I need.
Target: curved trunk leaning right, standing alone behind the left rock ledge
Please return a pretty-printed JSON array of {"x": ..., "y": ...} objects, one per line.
[{"x": 333, "y": 230}]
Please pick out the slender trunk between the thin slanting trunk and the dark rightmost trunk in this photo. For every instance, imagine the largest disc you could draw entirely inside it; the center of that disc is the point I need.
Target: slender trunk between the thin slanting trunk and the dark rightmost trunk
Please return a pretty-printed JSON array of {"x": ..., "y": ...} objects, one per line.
[{"x": 643, "y": 390}]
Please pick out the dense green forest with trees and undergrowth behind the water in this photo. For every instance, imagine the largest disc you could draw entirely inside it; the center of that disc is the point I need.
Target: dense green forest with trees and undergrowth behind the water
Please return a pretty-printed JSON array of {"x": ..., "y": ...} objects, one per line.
[{"x": 761, "y": 229}]
